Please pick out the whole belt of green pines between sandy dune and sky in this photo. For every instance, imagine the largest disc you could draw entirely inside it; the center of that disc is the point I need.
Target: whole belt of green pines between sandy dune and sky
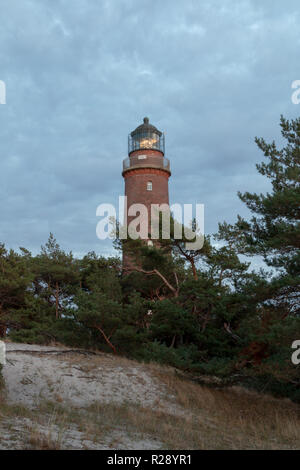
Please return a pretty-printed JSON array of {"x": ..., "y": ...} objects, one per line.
[{"x": 200, "y": 310}]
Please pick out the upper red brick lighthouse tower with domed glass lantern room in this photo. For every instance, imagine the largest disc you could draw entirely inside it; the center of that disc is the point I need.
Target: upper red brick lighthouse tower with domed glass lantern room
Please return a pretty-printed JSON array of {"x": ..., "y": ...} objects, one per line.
[{"x": 146, "y": 171}]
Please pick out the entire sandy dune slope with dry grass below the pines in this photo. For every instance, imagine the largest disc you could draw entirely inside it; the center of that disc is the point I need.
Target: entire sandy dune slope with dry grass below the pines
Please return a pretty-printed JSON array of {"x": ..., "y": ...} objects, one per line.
[{"x": 55, "y": 398}]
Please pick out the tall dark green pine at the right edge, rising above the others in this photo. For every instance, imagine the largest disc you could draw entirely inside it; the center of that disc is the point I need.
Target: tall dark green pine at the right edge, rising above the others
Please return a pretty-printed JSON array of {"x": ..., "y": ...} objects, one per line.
[{"x": 273, "y": 232}]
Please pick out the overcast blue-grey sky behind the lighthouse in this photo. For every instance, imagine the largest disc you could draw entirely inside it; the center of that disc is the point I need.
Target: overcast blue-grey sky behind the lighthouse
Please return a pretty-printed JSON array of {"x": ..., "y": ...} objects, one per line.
[{"x": 82, "y": 74}]
